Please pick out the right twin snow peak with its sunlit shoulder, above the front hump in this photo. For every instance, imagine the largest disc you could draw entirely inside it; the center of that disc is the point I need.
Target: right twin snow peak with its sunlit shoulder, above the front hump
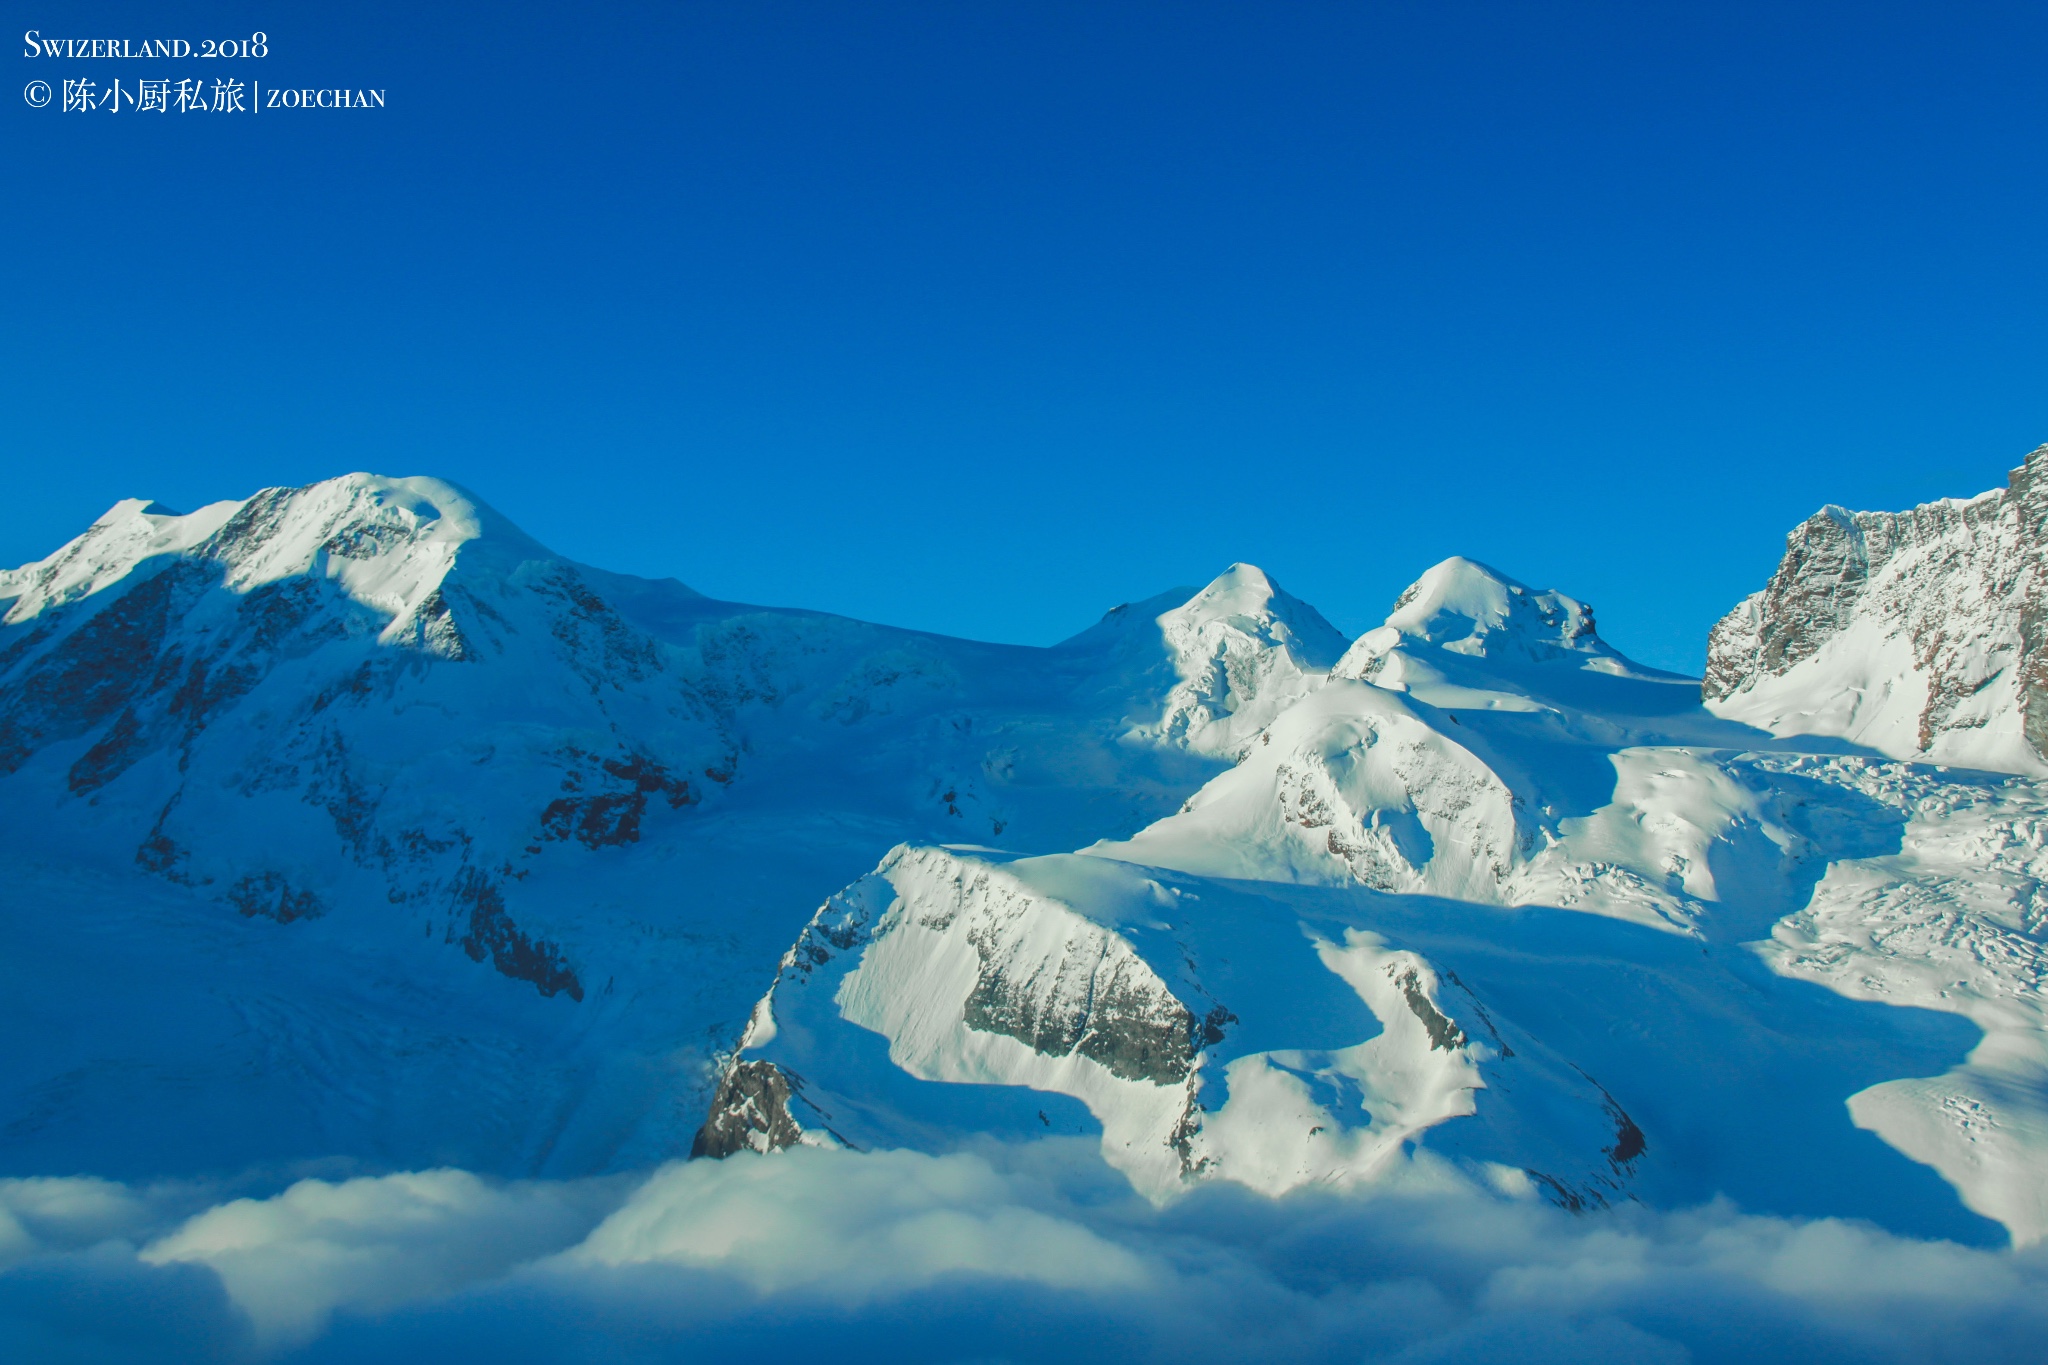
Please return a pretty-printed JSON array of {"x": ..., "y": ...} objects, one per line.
[{"x": 1484, "y": 744}]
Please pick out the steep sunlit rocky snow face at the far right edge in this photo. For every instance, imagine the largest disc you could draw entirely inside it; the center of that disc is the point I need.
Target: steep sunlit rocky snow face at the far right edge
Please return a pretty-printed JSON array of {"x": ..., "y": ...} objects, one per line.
[{"x": 1920, "y": 633}]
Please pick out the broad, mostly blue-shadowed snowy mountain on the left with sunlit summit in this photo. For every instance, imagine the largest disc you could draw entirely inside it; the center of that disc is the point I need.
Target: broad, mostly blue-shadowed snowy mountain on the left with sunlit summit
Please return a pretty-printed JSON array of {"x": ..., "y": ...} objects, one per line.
[{"x": 382, "y": 725}]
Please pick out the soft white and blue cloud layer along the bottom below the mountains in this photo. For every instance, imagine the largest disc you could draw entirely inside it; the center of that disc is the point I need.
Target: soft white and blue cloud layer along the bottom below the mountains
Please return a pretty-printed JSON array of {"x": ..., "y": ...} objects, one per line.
[{"x": 1000, "y": 1253}]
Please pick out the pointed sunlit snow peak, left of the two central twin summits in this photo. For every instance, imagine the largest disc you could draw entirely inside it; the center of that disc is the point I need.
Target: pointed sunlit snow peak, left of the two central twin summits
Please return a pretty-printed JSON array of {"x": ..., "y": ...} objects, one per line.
[{"x": 1244, "y": 652}]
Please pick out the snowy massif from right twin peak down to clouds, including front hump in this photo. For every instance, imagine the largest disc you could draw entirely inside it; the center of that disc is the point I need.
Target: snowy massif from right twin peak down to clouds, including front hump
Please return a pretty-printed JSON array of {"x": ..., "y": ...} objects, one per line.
[{"x": 1322, "y": 971}]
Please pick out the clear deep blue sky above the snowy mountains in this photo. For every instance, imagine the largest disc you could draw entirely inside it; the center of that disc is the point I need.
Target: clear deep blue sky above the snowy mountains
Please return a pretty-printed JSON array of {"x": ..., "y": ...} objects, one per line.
[{"x": 982, "y": 318}]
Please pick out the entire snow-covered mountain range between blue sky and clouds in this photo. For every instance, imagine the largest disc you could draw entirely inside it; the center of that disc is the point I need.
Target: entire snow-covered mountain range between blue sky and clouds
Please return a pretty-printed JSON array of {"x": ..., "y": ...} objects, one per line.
[{"x": 351, "y": 824}]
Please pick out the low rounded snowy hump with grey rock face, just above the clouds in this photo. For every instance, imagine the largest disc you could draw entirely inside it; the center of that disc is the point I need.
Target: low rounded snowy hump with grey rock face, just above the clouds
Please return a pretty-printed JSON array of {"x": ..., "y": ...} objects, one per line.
[{"x": 1205, "y": 1034}]
